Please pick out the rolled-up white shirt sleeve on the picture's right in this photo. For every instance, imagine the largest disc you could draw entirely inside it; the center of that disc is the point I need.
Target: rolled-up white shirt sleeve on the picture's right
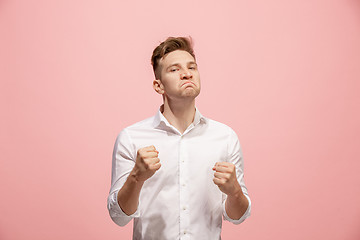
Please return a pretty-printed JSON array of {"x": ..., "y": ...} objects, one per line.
[{"x": 236, "y": 157}]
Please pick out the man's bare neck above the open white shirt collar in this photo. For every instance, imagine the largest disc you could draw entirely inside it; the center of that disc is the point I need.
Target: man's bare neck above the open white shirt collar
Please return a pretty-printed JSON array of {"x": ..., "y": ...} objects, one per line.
[{"x": 179, "y": 114}]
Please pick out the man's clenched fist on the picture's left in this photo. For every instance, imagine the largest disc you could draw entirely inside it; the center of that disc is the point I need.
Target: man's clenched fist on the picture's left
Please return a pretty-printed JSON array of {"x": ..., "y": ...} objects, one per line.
[{"x": 147, "y": 163}]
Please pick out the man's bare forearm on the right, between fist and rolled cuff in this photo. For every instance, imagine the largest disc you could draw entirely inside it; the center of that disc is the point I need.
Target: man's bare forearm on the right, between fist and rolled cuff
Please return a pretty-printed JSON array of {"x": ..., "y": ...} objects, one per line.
[{"x": 236, "y": 205}]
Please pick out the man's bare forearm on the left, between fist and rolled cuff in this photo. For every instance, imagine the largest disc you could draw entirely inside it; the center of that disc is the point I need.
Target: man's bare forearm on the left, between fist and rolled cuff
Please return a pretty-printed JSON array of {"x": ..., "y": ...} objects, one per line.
[{"x": 128, "y": 196}]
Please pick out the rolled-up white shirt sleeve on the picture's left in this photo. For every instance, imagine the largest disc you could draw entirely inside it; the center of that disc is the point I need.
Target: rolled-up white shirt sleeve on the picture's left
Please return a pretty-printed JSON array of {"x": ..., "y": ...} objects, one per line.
[{"x": 123, "y": 161}]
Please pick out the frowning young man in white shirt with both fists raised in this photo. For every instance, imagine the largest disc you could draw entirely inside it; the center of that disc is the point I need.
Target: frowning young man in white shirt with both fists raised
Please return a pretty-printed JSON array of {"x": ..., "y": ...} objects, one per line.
[{"x": 177, "y": 173}]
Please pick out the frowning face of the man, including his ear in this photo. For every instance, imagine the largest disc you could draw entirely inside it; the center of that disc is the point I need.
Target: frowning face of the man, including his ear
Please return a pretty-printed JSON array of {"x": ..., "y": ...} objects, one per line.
[{"x": 178, "y": 76}]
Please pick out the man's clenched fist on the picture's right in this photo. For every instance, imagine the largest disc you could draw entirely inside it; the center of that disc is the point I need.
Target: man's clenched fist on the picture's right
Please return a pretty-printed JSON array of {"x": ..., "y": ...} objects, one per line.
[{"x": 225, "y": 178}]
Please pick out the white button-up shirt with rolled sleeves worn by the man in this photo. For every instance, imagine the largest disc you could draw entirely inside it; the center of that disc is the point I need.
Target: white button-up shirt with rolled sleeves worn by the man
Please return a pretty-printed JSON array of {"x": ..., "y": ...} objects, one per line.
[{"x": 180, "y": 201}]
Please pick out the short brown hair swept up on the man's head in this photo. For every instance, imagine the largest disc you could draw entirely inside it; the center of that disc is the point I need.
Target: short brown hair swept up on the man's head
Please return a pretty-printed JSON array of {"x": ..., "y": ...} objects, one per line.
[{"x": 169, "y": 45}]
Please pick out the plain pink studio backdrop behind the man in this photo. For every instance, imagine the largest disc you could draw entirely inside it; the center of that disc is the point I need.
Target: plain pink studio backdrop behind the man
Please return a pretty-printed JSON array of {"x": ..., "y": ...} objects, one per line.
[{"x": 283, "y": 74}]
